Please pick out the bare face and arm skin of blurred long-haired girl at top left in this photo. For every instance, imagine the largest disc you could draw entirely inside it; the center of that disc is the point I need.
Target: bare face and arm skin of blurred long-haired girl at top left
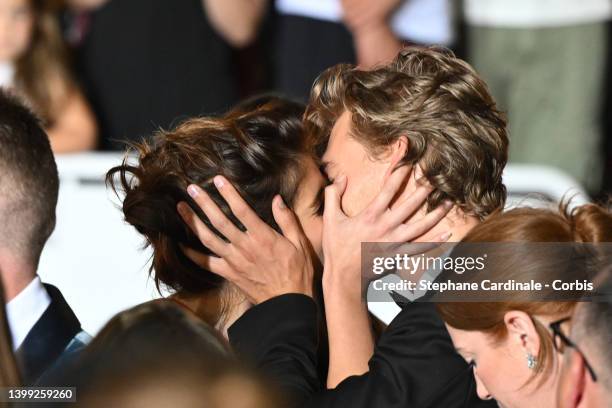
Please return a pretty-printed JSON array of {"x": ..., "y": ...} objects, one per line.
[{"x": 73, "y": 125}]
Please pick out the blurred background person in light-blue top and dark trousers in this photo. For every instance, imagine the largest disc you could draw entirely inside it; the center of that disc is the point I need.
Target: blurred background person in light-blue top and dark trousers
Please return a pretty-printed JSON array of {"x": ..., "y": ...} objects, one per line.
[{"x": 313, "y": 35}]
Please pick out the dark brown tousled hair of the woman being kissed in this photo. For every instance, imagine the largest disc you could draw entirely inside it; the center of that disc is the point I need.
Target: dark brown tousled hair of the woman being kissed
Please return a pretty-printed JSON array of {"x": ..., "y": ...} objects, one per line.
[{"x": 259, "y": 147}]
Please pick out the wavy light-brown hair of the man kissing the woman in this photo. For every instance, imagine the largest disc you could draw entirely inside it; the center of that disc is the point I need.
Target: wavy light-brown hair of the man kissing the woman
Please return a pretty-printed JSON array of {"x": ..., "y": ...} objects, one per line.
[{"x": 440, "y": 104}]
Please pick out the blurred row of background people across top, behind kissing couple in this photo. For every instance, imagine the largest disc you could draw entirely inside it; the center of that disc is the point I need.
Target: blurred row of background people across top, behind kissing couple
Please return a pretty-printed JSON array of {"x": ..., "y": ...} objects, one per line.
[{"x": 105, "y": 72}]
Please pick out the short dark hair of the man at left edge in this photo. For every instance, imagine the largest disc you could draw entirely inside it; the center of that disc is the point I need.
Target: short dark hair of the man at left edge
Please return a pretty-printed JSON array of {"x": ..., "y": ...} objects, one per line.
[{"x": 29, "y": 182}]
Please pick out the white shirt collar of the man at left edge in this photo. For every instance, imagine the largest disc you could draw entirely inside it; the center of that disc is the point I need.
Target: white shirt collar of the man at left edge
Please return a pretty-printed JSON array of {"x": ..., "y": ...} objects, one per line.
[{"x": 24, "y": 310}]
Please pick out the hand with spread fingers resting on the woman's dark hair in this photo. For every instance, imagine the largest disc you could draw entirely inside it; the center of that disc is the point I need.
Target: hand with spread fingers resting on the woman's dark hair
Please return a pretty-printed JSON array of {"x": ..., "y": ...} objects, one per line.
[{"x": 261, "y": 262}]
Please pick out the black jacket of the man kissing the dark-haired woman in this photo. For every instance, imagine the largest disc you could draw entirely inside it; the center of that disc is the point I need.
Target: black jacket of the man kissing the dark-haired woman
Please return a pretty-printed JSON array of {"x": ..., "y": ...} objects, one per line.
[{"x": 414, "y": 363}]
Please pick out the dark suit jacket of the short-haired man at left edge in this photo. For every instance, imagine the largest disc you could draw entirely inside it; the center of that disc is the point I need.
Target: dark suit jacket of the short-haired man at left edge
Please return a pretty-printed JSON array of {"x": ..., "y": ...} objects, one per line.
[{"x": 48, "y": 338}]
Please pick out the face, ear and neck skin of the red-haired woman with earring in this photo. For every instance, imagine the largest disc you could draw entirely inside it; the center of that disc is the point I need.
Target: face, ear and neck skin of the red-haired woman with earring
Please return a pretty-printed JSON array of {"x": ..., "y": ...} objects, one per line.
[{"x": 500, "y": 368}]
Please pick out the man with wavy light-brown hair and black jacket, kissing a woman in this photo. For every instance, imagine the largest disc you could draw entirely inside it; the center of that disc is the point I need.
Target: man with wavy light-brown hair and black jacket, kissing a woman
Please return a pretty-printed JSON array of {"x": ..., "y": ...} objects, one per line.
[{"x": 401, "y": 143}]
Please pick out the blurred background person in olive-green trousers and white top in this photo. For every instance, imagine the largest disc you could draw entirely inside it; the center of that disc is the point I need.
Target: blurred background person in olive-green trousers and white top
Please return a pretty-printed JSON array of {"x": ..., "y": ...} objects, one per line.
[{"x": 544, "y": 62}]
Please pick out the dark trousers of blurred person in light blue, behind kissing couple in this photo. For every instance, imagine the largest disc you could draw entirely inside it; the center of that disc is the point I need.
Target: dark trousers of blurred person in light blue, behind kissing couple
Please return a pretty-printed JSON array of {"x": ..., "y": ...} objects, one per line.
[{"x": 304, "y": 48}]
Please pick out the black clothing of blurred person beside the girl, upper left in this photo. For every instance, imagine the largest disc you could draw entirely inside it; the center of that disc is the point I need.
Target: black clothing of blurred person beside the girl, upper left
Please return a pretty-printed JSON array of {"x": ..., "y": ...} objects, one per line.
[{"x": 147, "y": 64}]
